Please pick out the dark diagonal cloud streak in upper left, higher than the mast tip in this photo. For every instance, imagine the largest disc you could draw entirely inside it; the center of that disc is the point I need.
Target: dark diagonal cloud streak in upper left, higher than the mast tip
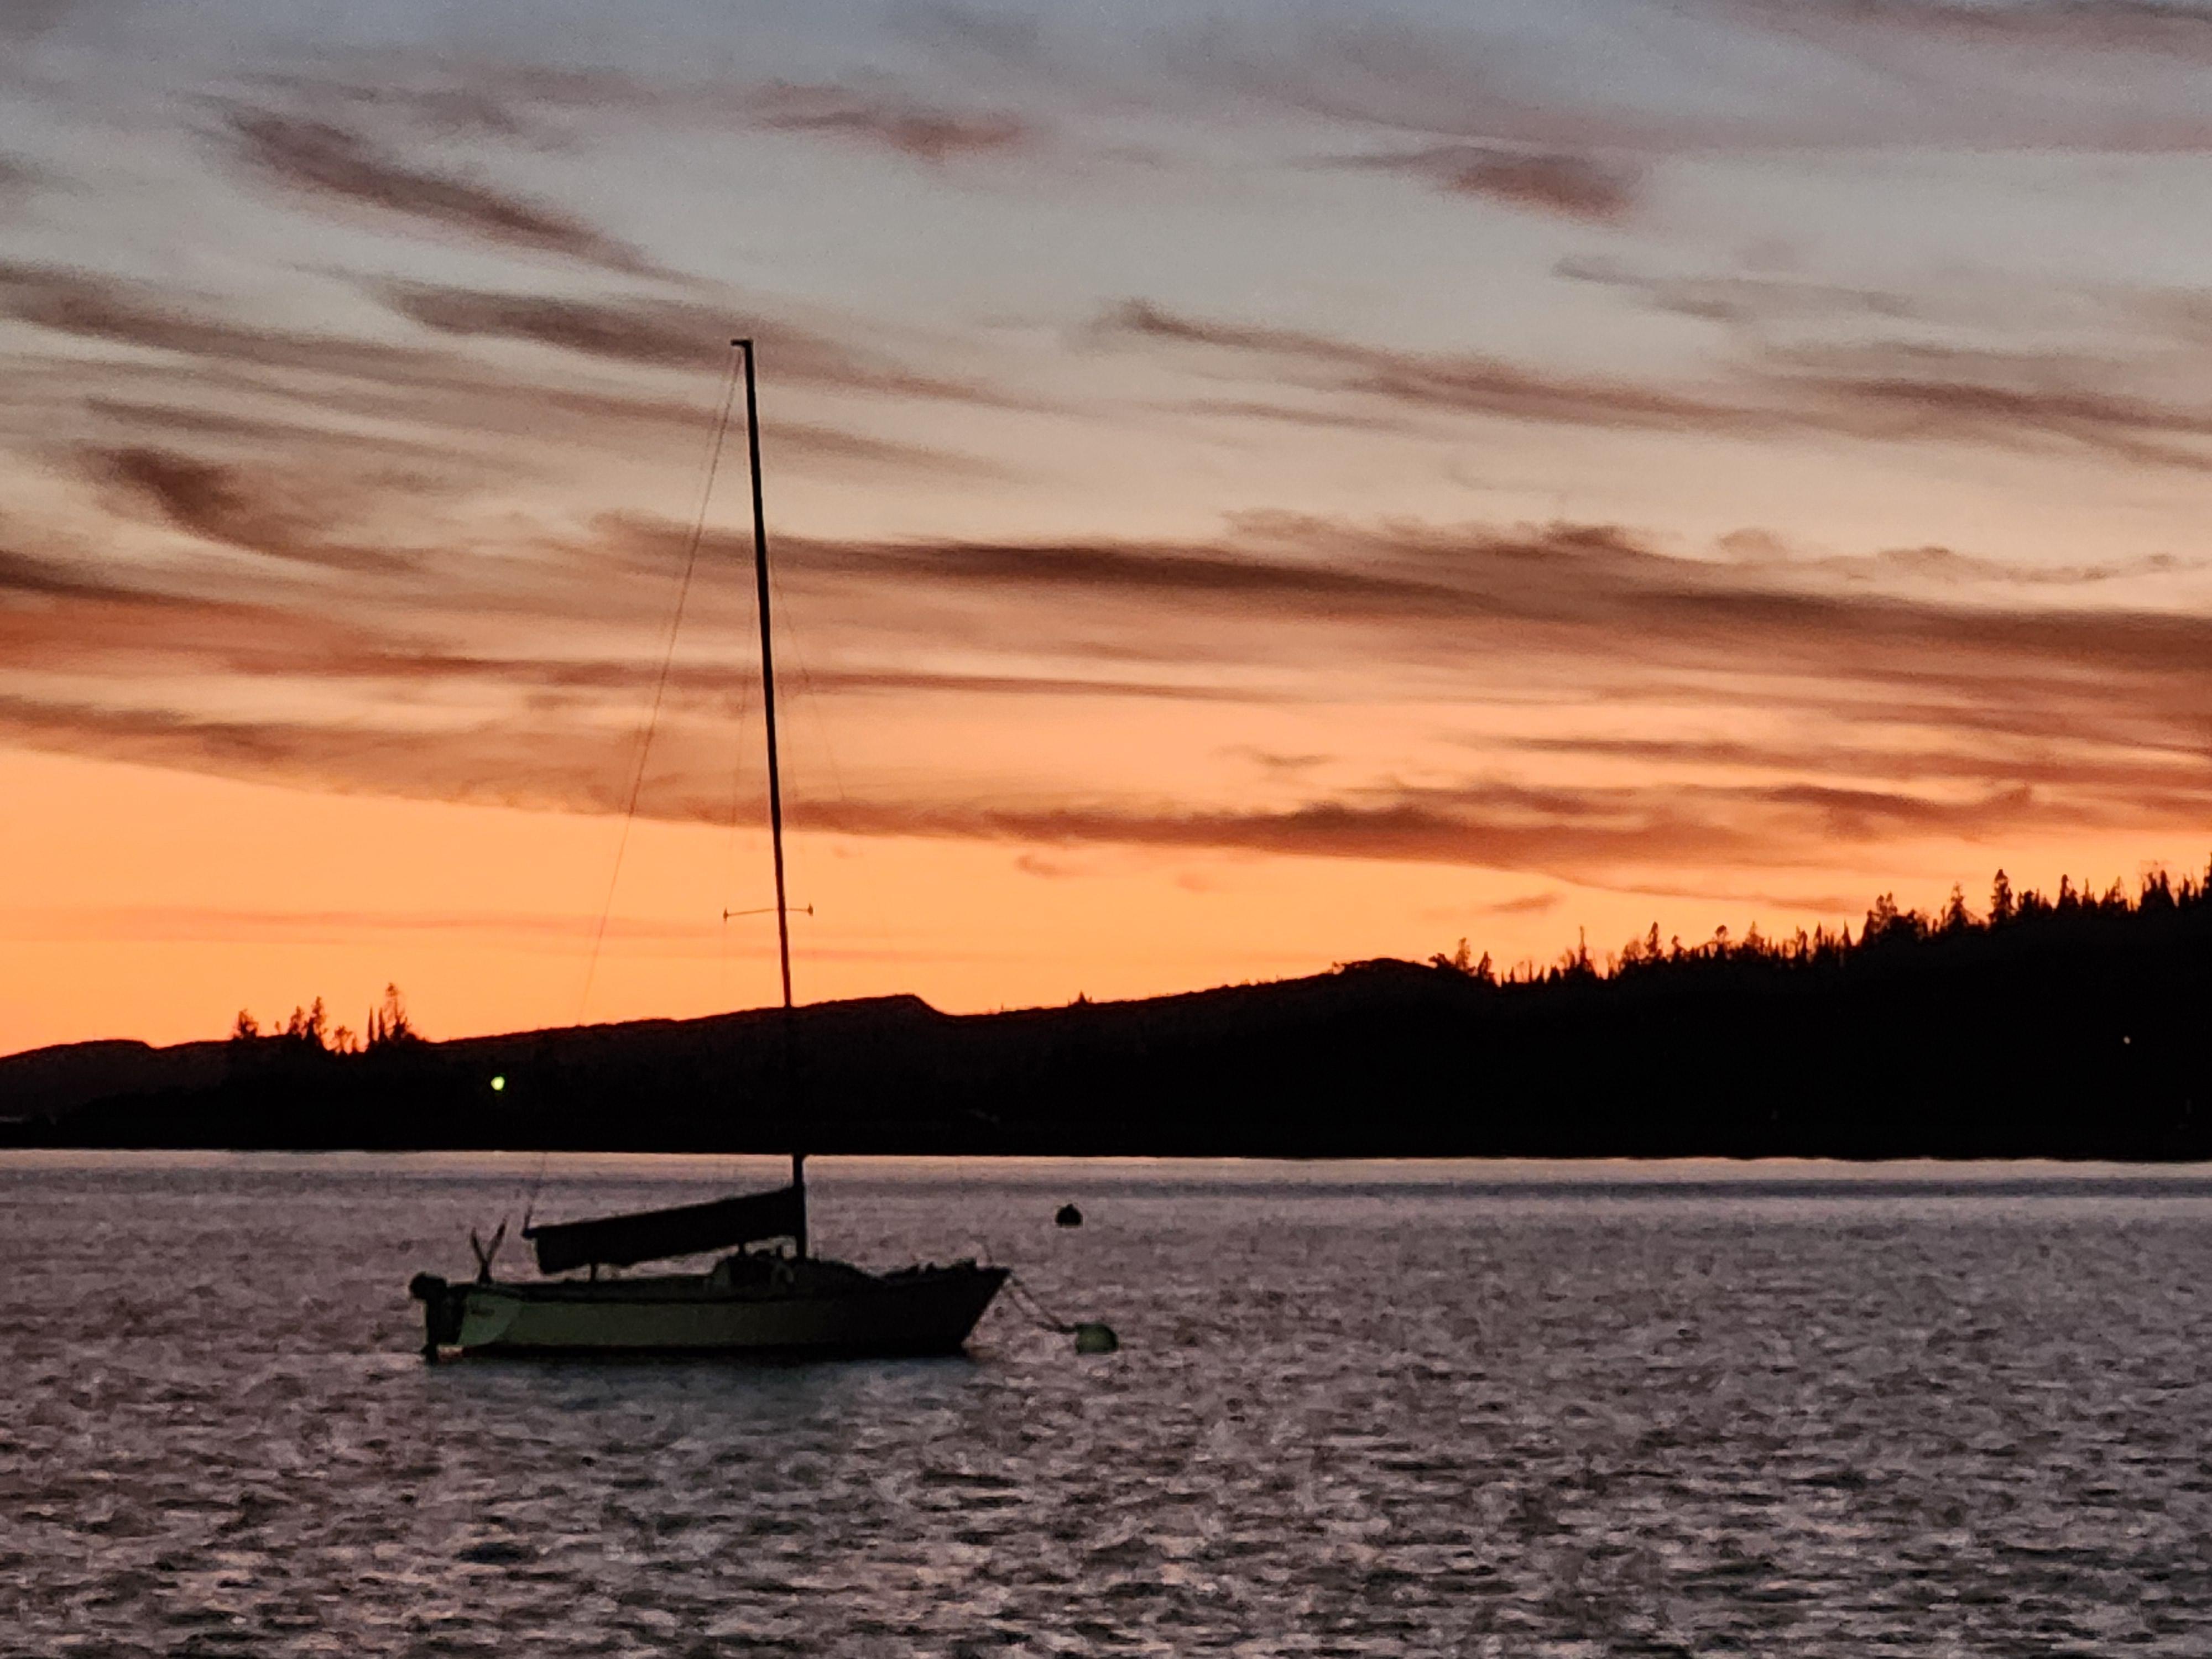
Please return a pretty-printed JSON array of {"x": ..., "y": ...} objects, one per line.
[{"x": 328, "y": 163}]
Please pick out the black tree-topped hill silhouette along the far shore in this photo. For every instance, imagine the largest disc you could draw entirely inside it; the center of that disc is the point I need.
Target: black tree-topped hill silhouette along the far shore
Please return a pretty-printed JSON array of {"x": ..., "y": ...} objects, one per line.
[{"x": 2063, "y": 1025}]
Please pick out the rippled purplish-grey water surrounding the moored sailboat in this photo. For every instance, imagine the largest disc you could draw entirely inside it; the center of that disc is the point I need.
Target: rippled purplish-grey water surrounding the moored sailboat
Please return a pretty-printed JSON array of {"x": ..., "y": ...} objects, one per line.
[{"x": 1395, "y": 1410}]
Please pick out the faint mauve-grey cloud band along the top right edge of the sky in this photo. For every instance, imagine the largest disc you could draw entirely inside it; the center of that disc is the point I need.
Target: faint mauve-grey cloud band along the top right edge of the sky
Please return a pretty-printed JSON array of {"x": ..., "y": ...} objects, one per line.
[{"x": 1711, "y": 79}]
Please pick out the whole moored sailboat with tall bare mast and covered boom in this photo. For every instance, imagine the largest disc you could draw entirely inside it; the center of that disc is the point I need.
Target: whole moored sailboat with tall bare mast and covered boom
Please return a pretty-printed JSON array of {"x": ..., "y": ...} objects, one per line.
[{"x": 782, "y": 1302}]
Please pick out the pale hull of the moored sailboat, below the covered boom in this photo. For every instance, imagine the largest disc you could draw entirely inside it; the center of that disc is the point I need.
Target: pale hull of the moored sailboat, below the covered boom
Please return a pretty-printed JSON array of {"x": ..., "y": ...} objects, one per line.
[{"x": 820, "y": 1311}]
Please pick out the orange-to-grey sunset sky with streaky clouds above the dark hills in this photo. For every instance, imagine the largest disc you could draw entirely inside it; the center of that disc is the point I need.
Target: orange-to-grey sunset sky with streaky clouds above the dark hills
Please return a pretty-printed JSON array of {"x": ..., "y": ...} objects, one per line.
[{"x": 1251, "y": 488}]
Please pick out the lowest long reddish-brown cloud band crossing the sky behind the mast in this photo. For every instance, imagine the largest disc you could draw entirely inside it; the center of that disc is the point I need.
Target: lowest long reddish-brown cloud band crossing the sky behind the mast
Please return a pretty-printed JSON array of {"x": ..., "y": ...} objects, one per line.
[{"x": 1569, "y": 833}]
